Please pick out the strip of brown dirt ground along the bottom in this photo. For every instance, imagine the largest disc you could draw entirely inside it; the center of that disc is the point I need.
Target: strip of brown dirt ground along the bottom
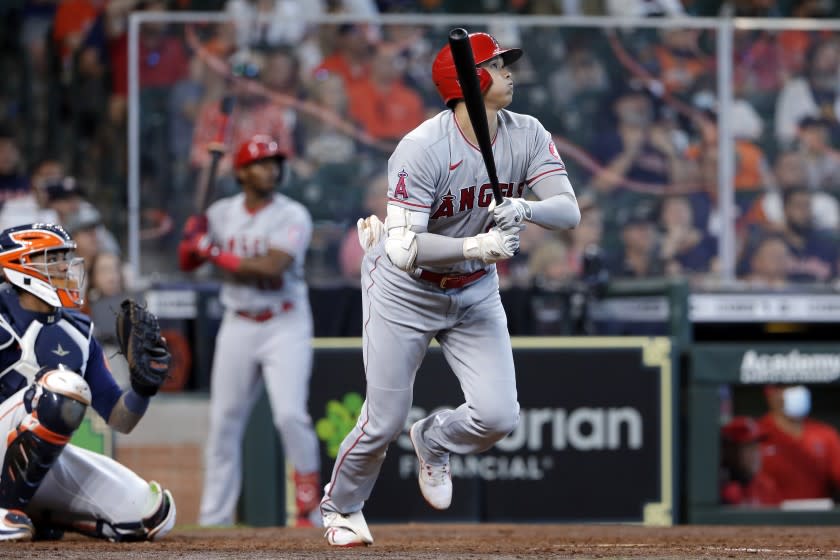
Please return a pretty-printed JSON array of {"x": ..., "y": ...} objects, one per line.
[{"x": 445, "y": 541}]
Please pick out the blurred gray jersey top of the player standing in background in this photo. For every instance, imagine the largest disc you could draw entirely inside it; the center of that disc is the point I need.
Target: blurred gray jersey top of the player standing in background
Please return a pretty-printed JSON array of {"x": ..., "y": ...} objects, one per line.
[{"x": 283, "y": 224}]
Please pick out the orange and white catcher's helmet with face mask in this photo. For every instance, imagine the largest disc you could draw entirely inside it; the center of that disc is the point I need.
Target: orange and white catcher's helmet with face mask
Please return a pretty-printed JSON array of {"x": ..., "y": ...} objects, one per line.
[{"x": 39, "y": 259}]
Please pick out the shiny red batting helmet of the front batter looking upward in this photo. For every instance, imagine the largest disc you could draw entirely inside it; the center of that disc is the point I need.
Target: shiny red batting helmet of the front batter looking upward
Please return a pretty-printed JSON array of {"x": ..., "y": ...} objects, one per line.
[{"x": 484, "y": 48}]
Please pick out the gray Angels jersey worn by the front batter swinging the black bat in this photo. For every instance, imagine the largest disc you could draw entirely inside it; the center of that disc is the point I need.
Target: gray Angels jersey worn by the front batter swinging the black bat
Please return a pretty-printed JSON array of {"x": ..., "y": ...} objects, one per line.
[{"x": 436, "y": 170}]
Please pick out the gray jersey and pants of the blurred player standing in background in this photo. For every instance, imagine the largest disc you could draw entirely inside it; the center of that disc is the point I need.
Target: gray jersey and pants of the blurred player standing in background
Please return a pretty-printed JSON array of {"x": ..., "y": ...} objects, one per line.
[{"x": 278, "y": 345}]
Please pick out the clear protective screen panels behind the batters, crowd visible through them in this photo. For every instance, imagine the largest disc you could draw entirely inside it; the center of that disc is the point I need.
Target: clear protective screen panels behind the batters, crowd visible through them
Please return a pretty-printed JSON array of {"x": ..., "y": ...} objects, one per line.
[{"x": 633, "y": 111}]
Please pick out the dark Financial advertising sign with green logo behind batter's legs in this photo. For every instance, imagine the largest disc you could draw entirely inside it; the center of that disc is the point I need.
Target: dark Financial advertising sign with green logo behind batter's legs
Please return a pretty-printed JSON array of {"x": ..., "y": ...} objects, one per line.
[{"x": 594, "y": 440}]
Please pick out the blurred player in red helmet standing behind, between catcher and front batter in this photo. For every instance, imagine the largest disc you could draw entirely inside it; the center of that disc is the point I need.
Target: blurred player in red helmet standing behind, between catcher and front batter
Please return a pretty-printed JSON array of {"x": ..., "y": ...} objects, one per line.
[{"x": 258, "y": 238}]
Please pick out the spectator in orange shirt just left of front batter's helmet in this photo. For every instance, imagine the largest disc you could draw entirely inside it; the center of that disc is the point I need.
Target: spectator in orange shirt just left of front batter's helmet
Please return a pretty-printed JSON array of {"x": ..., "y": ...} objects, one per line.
[{"x": 385, "y": 107}]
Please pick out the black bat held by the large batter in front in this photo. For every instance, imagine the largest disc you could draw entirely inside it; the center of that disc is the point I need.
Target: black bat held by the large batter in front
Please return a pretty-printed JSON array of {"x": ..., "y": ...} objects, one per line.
[{"x": 464, "y": 60}]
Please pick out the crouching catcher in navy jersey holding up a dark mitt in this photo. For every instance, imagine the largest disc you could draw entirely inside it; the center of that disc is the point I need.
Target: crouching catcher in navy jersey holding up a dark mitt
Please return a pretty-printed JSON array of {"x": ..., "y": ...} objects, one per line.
[{"x": 51, "y": 370}]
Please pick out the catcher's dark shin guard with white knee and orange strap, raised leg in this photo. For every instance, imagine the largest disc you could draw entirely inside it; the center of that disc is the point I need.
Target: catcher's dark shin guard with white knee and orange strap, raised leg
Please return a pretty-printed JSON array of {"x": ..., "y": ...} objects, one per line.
[{"x": 56, "y": 404}]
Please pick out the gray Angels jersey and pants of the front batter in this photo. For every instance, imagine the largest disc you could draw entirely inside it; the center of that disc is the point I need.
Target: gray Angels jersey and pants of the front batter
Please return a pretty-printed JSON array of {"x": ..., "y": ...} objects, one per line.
[{"x": 436, "y": 170}]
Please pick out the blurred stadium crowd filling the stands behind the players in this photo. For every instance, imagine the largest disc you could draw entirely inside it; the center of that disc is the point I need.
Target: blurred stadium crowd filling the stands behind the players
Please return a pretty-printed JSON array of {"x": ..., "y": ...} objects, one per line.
[{"x": 634, "y": 114}]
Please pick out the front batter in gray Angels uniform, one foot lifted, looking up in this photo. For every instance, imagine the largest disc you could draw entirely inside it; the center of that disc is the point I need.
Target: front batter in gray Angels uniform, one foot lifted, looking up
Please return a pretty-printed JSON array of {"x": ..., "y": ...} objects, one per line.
[{"x": 429, "y": 273}]
